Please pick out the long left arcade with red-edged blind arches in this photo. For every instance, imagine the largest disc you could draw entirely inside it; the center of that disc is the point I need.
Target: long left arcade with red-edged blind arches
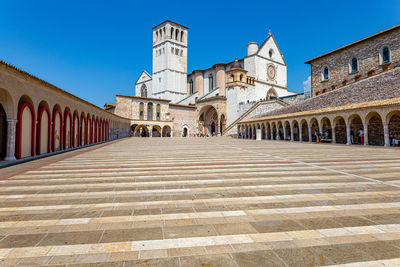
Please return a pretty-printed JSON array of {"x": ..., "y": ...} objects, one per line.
[{"x": 38, "y": 118}]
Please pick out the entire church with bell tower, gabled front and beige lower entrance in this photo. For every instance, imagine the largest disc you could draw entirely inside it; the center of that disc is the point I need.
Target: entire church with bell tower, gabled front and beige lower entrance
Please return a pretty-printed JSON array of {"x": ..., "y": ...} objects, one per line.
[{"x": 206, "y": 101}]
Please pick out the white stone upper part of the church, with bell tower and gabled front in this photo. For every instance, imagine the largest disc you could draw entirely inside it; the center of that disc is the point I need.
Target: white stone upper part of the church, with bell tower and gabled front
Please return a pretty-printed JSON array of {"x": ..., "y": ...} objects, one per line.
[{"x": 264, "y": 74}]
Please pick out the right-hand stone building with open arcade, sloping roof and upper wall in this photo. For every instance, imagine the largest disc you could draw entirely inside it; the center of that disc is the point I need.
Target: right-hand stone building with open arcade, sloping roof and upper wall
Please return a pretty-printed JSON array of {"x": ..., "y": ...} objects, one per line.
[{"x": 356, "y": 98}]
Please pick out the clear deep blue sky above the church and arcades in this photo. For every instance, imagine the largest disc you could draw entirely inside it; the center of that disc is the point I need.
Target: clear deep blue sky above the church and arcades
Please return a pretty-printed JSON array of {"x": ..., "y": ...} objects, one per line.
[{"x": 96, "y": 49}]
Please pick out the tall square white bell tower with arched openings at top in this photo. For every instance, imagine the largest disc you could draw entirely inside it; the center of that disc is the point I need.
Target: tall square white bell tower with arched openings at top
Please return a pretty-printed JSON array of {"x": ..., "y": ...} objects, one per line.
[{"x": 169, "y": 61}]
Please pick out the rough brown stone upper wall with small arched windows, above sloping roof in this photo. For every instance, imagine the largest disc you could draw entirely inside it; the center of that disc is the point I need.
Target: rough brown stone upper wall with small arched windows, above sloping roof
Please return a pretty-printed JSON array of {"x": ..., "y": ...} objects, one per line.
[{"x": 368, "y": 55}]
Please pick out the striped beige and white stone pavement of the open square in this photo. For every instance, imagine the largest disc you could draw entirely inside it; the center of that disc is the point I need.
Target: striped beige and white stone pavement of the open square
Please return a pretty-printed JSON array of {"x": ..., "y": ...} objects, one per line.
[{"x": 205, "y": 202}]
